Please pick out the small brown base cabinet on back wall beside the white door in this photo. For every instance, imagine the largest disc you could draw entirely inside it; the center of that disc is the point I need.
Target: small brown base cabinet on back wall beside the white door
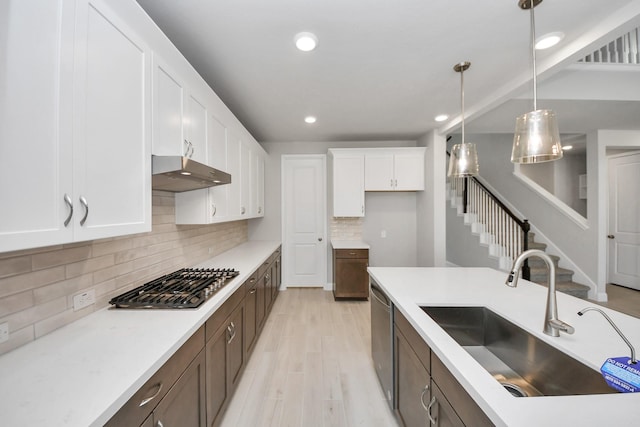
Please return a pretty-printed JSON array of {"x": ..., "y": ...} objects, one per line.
[{"x": 350, "y": 277}]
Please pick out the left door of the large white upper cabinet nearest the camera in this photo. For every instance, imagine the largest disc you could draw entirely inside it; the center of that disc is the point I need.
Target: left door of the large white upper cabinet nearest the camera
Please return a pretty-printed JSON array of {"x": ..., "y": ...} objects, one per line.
[{"x": 35, "y": 123}]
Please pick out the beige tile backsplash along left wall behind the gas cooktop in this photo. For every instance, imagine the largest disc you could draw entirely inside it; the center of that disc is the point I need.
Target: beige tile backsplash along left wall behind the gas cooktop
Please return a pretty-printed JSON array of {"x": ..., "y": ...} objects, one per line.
[{"x": 37, "y": 286}]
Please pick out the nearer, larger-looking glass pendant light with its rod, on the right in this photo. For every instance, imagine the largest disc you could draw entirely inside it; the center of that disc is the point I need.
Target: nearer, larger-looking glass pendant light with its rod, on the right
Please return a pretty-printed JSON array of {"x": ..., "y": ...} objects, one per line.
[{"x": 536, "y": 138}]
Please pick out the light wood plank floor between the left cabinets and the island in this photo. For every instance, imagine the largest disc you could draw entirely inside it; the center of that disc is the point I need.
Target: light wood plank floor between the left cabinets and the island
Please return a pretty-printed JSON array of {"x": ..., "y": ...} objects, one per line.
[{"x": 311, "y": 367}]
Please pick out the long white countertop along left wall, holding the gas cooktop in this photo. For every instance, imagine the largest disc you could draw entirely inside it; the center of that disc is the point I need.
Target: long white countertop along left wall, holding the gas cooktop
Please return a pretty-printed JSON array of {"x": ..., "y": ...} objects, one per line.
[{"x": 82, "y": 373}]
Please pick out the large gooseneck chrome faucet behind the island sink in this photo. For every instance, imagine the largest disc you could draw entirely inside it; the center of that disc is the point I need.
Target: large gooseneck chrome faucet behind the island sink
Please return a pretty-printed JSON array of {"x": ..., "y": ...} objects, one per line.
[{"x": 552, "y": 325}]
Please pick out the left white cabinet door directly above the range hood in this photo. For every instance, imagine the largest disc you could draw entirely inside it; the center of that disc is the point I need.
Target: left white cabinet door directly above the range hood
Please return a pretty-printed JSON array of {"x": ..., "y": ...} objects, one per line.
[{"x": 168, "y": 110}]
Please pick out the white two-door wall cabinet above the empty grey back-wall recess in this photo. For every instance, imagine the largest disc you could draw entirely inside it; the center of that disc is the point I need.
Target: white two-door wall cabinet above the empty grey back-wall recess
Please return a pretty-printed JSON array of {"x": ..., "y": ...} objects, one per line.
[{"x": 397, "y": 169}]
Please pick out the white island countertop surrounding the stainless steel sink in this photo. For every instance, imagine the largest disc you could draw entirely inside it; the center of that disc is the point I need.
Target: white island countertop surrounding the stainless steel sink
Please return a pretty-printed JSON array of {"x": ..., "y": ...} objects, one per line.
[{"x": 592, "y": 343}]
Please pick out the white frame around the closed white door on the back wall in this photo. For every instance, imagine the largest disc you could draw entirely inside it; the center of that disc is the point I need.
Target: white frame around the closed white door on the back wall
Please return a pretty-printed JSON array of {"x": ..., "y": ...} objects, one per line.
[{"x": 286, "y": 158}]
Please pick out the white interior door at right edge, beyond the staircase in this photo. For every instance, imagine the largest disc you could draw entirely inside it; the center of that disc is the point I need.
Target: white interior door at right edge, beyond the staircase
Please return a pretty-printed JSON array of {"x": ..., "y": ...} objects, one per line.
[{"x": 624, "y": 221}]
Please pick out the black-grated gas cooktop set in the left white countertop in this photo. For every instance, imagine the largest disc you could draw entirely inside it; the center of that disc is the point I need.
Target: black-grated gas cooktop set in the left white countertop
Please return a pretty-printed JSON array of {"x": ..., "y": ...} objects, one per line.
[{"x": 185, "y": 288}]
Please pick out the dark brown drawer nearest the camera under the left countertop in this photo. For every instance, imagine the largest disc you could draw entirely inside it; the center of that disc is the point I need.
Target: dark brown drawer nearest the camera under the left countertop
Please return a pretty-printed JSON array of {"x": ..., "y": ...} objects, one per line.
[{"x": 151, "y": 393}]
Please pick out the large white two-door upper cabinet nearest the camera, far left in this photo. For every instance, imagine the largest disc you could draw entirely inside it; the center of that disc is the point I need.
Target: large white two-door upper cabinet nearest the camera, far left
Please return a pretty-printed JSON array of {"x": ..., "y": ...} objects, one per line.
[{"x": 81, "y": 121}]
